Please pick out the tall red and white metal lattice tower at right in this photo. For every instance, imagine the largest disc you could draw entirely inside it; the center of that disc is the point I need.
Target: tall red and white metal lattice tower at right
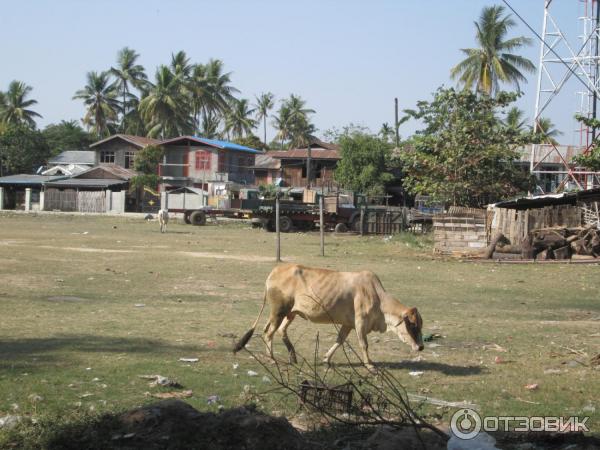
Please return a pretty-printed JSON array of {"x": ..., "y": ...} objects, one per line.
[{"x": 560, "y": 62}]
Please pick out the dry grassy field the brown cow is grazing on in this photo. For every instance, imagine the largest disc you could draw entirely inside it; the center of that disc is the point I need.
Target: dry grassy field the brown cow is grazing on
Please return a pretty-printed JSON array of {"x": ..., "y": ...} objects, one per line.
[{"x": 87, "y": 304}]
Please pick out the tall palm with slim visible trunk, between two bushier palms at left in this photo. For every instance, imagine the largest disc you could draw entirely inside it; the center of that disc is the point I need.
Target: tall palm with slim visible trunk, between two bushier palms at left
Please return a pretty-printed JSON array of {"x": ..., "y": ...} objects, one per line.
[{"x": 128, "y": 73}]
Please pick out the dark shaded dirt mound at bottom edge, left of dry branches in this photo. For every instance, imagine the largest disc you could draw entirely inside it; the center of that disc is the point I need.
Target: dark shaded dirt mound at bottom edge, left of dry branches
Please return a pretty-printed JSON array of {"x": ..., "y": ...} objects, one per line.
[{"x": 173, "y": 424}]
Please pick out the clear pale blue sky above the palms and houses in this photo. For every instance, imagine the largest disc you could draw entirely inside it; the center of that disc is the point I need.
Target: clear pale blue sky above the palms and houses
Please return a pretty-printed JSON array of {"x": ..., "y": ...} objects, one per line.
[{"x": 348, "y": 59}]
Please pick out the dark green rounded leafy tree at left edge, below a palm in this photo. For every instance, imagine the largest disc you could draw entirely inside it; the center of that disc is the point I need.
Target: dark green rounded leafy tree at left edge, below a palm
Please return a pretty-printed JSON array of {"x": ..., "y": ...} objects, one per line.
[{"x": 22, "y": 149}]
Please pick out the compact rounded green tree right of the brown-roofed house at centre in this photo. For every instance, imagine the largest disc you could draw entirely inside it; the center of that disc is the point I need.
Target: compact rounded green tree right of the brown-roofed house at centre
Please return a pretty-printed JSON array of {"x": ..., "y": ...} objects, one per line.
[{"x": 365, "y": 163}]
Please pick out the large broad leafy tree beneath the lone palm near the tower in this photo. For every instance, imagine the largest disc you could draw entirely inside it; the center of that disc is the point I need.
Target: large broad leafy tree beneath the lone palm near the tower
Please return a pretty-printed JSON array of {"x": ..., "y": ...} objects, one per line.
[{"x": 465, "y": 155}]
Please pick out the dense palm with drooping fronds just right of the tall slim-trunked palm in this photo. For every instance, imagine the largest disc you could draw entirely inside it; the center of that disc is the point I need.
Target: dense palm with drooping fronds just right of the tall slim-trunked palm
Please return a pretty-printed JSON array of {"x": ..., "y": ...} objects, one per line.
[{"x": 164, "y": 109}]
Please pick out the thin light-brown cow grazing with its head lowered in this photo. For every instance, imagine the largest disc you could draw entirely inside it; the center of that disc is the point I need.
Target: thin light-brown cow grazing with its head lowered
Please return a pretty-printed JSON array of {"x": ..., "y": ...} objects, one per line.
[{"x": 350, "y": 300}]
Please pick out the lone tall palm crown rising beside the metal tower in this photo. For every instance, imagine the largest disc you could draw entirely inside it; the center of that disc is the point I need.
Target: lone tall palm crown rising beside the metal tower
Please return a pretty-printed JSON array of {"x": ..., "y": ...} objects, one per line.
[{"x": 492, "y": 62}]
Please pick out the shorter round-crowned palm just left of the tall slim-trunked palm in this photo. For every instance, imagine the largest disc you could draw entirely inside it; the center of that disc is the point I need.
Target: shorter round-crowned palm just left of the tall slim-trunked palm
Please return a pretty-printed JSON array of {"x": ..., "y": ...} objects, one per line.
[{"x": 100, "y": 97}]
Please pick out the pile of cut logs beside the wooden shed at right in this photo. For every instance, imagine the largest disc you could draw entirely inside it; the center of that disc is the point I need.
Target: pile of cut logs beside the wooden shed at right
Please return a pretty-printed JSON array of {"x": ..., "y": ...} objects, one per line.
[{"x": 549, "y": 243}]
